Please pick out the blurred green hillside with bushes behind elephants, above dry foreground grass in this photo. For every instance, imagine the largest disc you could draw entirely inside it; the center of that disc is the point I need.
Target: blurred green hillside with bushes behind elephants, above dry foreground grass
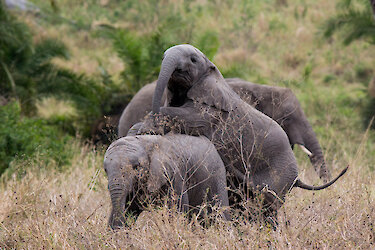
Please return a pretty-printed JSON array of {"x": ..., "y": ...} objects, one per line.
[{"x": 68, "y": 66}]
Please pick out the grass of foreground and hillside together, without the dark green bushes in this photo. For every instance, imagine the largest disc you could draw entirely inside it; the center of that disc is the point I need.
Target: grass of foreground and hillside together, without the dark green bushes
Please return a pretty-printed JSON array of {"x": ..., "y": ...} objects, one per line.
[{"x": 270, "y": 42}]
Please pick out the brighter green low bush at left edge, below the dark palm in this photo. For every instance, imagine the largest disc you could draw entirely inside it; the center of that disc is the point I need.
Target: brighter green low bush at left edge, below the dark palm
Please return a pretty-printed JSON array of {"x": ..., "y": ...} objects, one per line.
[{"x": 23, "y": 138}]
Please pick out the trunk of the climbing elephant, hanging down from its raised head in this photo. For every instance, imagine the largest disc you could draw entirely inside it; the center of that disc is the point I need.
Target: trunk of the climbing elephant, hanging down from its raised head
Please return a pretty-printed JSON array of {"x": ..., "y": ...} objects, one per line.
[{"x": 168, "y": 66}]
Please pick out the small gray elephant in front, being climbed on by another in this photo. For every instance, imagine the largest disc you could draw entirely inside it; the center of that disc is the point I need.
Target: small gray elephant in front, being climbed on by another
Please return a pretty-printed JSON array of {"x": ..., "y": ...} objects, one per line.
[{"x": 186, "y": 165}]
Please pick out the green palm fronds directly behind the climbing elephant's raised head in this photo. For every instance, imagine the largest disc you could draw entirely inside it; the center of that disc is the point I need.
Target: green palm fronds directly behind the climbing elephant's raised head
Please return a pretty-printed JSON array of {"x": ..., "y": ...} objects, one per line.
[{"x": 141, "y": 54}]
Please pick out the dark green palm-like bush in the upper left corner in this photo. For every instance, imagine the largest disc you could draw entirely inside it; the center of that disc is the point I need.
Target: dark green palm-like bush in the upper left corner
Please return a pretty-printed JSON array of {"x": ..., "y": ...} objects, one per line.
[{"x": 27, "y": 72}]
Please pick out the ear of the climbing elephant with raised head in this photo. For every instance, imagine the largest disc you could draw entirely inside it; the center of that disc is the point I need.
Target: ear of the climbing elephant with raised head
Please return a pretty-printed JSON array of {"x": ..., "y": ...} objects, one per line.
[{"x": 214, "y": 91}]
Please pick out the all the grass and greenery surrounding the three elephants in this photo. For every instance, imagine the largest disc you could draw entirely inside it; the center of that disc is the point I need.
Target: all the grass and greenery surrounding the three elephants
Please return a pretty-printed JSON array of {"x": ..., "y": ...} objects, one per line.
[{"x": 76, "y": 61}]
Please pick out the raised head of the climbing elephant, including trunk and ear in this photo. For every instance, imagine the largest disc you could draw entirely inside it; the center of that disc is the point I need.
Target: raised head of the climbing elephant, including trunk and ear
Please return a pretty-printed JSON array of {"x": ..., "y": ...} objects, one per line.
[{"x": 182, "y": 70}]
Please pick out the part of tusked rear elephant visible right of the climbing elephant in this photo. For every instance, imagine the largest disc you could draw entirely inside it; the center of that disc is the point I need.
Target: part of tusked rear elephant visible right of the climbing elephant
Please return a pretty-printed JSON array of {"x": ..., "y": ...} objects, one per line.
[{"x": 283, "y": 106}]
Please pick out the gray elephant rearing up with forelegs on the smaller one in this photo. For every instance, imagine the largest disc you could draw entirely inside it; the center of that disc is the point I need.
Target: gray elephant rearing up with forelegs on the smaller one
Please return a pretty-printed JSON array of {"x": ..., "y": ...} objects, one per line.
[{"x": 254, "y": 148}]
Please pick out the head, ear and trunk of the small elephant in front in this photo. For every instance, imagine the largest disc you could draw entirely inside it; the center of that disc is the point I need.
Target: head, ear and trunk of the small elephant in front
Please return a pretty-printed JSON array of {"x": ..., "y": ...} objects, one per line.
[{"x": 135, "y": 170}]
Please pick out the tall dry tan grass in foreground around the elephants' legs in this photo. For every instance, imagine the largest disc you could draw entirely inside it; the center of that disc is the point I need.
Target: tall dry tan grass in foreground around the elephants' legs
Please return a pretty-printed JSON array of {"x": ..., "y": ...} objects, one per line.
[{"x": 69, "y": 210}]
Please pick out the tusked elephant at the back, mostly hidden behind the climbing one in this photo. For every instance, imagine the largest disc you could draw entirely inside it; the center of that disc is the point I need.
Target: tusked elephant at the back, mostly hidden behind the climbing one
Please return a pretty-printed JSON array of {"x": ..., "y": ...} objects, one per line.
[{"x": 276, "y": 102}]
